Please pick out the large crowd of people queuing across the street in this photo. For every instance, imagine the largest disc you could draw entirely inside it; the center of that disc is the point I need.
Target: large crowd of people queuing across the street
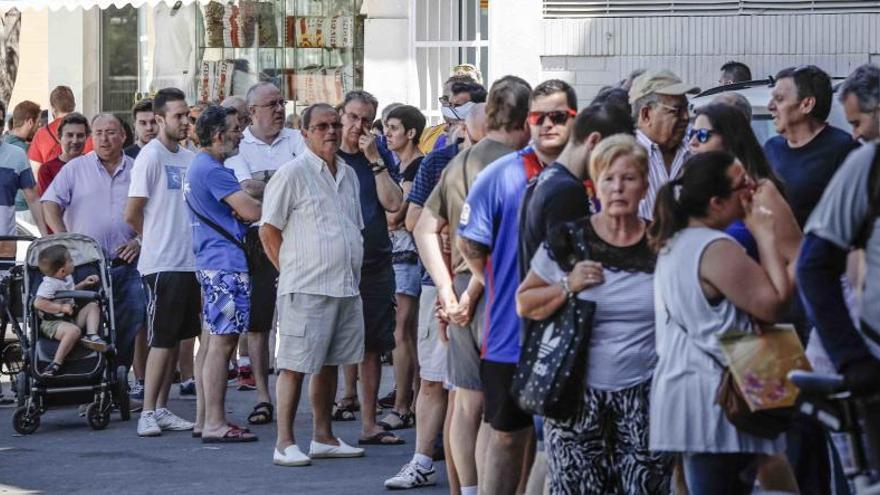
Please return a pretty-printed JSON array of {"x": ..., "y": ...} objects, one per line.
[{"x": 352, "y": 239}]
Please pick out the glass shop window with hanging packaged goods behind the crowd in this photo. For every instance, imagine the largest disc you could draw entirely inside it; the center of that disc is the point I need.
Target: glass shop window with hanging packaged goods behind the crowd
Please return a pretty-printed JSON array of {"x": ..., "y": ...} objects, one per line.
[{"x": 311, "y": 49}]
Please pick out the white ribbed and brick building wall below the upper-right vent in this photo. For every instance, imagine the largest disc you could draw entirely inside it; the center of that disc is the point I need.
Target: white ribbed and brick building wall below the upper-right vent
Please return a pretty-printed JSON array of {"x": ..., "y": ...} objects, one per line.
[{"x": 591, "y": 53}]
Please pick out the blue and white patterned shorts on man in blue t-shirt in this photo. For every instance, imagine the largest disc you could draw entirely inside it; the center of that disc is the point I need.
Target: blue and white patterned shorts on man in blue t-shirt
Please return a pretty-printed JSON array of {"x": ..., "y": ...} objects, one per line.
[{"x": 226, "y": 296}]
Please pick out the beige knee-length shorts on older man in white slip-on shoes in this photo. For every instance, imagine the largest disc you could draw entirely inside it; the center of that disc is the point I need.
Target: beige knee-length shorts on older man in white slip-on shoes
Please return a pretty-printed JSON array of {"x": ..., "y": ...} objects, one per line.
[{"x": 316, "y": 331}]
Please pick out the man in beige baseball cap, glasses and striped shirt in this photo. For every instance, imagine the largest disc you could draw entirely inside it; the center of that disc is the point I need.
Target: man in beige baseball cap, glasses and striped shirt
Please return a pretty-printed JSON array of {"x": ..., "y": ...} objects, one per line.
[{"x": 660, "y": 109}]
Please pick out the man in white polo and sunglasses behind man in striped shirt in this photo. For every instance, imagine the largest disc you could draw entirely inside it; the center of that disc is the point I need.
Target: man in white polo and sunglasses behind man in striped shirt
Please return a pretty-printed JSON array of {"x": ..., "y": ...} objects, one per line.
[{"x": 265, "y": 145}]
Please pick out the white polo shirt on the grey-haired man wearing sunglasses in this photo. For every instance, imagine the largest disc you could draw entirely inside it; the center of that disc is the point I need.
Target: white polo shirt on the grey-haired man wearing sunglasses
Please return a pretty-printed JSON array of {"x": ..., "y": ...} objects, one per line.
[{"x": 255, "y": 158}]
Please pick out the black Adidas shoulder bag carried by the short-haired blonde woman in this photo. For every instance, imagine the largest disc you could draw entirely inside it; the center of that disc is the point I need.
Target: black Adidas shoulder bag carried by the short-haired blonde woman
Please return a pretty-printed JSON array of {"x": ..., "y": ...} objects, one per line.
[{"x": 550, "y": 375}]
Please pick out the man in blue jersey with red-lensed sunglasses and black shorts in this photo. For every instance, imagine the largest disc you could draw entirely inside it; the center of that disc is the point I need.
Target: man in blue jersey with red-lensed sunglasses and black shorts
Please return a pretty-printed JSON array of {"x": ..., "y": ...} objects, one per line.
[{"x": 488, "y": 239}]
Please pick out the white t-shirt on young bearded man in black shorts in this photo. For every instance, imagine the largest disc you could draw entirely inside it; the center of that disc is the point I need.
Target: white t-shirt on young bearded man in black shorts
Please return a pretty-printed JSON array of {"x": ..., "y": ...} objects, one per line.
[{"x": 159, "y": 175}]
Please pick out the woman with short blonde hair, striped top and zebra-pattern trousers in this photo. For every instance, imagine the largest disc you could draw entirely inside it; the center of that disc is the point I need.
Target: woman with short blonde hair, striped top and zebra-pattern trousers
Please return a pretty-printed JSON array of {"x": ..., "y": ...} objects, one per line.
[{"x": 603, "y": 448}]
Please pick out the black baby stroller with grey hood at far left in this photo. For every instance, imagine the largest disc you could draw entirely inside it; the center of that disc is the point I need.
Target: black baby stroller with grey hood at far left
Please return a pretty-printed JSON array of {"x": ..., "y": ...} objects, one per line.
[{"x": 87, "y": 377}]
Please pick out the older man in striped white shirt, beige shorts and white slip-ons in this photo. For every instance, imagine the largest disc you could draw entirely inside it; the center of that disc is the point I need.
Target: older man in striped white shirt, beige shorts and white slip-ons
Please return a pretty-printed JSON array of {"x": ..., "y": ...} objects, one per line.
[{"x": 311, "y": 230}]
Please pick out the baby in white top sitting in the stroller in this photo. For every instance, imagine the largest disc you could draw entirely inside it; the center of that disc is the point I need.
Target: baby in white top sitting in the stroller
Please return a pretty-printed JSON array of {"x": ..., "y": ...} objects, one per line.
[{"x": 61, "y": 320}]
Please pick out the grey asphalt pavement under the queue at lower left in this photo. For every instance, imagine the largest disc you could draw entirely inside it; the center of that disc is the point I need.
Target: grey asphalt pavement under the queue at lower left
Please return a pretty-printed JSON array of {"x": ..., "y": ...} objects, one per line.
[{"x": 66, "y": 456}]
